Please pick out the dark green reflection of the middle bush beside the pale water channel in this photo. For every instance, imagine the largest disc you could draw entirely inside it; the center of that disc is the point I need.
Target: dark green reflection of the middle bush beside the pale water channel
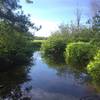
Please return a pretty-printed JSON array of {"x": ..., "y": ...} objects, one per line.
[{"x": 56, "y": 62}]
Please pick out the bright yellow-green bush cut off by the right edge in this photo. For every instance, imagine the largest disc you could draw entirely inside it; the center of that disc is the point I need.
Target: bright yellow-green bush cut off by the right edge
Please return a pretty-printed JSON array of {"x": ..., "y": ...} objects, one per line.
[{"x": 93, "y": 67}]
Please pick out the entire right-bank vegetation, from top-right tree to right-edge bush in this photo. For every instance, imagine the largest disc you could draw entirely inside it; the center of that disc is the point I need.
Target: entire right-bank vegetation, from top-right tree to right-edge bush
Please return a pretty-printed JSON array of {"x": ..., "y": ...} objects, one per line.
[{"x": 78, "y": 44}]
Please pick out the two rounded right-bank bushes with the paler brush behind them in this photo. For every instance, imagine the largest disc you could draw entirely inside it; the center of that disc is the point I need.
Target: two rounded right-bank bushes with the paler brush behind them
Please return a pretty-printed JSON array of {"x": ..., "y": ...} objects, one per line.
[{"x": 82, "y": 44}]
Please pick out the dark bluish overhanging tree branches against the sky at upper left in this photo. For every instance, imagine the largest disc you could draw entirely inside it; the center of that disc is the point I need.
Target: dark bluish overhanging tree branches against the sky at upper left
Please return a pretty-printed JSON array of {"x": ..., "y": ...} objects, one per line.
[{"x": 19, "y": 20}]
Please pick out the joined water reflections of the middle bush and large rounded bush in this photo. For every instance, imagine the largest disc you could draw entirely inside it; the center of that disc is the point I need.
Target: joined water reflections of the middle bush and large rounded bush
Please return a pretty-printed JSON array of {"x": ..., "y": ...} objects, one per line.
[{"x": 58, "y": 62}]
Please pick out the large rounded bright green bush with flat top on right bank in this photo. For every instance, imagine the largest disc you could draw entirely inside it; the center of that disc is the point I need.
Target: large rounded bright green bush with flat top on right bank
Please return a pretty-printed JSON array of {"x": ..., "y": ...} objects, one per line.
[{"x": 79, "y": 53}]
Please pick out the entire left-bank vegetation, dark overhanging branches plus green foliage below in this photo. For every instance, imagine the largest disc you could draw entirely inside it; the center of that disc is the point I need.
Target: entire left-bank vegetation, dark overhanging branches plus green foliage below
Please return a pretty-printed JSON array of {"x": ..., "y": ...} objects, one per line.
[{"x": 15, "y": 39}]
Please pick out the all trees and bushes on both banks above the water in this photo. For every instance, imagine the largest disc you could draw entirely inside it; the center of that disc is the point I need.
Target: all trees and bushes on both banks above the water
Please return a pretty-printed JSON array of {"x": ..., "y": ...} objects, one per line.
[{"x": 79, "y": 43}]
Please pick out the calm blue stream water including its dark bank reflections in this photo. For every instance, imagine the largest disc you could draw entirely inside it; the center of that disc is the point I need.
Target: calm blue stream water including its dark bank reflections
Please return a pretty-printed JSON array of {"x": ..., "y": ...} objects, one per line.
[{"x": 45, "y": 80}]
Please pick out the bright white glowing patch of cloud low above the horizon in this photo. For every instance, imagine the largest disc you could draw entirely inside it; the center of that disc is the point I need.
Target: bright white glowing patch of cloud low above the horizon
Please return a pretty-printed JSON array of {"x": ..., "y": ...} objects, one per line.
[{"x": 47, "y": 27}]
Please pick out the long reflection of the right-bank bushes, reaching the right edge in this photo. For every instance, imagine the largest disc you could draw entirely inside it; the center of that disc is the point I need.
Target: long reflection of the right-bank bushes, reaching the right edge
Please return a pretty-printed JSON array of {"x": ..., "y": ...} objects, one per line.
[{"x": 80, "y": 73}]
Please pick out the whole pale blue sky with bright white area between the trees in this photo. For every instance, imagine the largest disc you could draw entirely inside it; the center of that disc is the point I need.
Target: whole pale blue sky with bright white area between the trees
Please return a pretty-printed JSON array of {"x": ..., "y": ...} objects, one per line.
[{"x": 51, "y": 13}]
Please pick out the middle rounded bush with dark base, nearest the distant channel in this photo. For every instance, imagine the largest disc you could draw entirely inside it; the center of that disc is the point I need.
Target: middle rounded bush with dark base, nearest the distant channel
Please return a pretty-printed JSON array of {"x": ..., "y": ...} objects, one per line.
[{"x": 54, "y": 45}]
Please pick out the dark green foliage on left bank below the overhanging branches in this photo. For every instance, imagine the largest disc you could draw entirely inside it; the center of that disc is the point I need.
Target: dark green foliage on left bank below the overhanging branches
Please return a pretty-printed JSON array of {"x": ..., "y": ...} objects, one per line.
[{"x": 15, "y": 47}]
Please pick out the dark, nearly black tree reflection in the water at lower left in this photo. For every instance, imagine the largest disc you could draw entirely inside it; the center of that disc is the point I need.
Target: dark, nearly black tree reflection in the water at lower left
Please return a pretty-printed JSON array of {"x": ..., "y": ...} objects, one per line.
[{"x": 10, "y": 83}]
